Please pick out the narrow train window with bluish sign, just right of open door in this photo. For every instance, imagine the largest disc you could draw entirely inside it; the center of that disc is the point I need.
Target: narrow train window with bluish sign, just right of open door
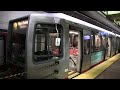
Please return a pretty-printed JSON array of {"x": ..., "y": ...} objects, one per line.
[{"x": 86, "y": 44}]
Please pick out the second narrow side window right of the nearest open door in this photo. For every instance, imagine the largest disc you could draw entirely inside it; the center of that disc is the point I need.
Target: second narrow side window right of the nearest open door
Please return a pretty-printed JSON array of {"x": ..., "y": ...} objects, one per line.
[{"x": 97, "y": 42}]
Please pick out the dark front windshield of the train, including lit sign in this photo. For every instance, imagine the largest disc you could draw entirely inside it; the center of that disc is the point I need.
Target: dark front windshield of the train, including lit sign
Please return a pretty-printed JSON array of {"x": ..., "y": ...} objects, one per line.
[{"x": 19, "y": 30}]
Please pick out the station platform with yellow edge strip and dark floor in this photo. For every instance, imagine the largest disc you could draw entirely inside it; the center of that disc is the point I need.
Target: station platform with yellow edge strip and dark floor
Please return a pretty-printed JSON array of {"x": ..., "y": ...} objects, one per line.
[{"x": 109, "y": 69}]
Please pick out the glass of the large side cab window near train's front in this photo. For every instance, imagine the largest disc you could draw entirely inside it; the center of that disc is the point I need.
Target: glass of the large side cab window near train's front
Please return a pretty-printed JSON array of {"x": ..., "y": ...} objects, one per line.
[{"x": 45, "y": 42}]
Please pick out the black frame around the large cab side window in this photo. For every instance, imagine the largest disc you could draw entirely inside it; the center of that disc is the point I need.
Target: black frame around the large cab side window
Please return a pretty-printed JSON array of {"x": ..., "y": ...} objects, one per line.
[{"x": 60, "y": 56}]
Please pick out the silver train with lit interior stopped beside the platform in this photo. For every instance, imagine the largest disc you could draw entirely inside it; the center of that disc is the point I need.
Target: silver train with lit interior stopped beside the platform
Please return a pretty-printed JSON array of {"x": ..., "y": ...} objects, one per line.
[{"x": 48, "y": 46}]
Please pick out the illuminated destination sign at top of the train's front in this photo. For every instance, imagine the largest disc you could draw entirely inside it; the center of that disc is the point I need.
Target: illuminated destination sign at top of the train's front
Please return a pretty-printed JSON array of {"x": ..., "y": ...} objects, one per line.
[{"x": 20, "y": 24}]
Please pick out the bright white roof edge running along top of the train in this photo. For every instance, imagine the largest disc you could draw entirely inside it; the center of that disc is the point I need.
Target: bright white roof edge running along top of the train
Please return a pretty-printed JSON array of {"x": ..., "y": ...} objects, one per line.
[{"x": 69, "y": 18}]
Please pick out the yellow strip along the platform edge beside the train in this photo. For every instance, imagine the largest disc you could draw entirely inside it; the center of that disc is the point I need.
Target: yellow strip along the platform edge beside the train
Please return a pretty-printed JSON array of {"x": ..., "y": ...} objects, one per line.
[{"x": 95, "y": 71}]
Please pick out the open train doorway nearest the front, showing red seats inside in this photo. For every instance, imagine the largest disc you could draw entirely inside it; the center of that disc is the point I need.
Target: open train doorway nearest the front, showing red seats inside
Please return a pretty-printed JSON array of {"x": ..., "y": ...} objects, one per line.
[{"x": 74, "y": 51}]
